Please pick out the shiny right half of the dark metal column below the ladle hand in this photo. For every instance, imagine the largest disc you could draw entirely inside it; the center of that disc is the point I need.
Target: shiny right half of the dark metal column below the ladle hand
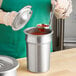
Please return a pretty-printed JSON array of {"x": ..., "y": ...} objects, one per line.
[{"x": 60, "y": 34}]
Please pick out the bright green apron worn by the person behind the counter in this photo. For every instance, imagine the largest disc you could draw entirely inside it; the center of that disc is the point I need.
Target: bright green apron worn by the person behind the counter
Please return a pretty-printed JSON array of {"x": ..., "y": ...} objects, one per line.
[{"x": 12, "y": 43}]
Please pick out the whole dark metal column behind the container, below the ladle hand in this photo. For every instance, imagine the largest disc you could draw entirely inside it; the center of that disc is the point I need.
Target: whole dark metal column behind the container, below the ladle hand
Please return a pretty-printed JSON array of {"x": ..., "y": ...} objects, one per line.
[{"x": 58, "y": 35}]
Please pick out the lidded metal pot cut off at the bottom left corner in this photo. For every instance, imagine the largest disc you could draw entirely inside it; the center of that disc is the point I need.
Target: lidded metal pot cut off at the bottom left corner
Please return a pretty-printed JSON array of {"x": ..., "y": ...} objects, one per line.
[{"x": 8, "y": 66}]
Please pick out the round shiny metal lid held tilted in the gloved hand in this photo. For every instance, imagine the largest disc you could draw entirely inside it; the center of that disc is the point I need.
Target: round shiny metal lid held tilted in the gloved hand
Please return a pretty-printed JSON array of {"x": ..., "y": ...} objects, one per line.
[{"x": 22, "y": 18}]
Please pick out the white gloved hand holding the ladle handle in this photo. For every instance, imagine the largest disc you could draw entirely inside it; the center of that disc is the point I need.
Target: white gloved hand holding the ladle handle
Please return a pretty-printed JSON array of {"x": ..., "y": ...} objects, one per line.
[{"x": 63, "y": 8}]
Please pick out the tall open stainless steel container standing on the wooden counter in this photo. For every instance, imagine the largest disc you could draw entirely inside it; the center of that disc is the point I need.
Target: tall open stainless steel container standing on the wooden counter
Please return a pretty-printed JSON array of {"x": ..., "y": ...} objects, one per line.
[{"x": 38, "y": 50}]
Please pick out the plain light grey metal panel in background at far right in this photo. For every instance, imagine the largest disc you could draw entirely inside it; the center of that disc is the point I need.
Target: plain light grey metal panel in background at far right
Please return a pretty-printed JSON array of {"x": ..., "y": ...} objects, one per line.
[{"x": 70, "y": 26}]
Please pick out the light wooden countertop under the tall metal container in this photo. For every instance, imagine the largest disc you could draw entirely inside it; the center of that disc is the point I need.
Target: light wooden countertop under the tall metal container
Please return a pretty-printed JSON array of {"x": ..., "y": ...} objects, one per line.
[{"x": 63, "y": 63}]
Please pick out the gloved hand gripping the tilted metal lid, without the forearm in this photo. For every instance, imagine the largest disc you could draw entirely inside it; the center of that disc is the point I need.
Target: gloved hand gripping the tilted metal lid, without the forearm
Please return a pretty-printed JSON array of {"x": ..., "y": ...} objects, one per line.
[{"x": 9, "y": 17}]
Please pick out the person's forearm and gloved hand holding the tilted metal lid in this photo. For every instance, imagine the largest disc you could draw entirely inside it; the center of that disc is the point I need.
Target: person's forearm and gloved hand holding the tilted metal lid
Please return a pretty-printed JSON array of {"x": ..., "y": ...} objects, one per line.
[{"x": 6, "y": 17}]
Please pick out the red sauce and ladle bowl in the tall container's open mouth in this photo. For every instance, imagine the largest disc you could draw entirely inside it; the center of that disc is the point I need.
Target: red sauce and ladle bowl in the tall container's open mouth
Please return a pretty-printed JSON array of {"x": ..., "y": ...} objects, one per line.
[{"x": 41, "y": 29}]
